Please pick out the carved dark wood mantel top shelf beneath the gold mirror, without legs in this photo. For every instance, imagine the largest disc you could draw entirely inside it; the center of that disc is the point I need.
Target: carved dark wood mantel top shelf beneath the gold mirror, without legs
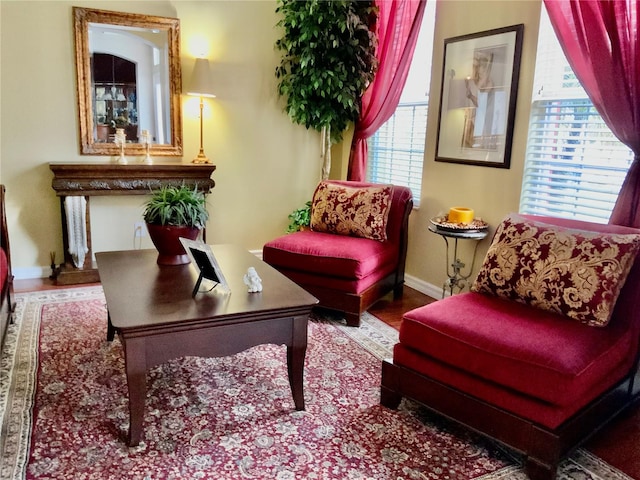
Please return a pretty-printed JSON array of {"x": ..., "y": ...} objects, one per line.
[{"x": 91, "y": 179}]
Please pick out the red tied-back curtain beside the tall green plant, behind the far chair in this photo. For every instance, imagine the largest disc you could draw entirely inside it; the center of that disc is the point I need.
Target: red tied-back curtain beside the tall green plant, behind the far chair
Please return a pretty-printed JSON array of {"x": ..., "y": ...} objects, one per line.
[{"x": 397, "y": 28}]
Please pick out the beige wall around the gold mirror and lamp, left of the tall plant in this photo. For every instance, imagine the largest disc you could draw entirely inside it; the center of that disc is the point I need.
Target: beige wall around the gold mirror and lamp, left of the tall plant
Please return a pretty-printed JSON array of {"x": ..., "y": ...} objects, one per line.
[{"x": 266, "y": 166}]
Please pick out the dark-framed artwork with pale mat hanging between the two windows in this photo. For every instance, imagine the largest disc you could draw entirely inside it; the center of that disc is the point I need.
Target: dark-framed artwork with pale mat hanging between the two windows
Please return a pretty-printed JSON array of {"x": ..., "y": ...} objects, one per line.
[{"x": 478, "y": 97}]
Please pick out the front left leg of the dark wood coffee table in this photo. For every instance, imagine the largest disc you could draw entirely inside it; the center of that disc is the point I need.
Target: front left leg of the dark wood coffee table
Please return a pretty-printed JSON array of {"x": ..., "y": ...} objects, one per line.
[{"x": 136, "y": 370}]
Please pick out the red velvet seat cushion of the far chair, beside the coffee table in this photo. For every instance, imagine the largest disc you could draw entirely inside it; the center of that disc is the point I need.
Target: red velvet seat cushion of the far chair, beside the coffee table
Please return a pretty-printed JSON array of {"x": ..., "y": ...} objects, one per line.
[{"x": 331, "y": 255}]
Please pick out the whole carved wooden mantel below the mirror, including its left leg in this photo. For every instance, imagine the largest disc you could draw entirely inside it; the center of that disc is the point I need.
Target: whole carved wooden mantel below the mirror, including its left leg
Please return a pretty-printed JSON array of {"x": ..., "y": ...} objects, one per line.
[{"x": 99, "y": 179}]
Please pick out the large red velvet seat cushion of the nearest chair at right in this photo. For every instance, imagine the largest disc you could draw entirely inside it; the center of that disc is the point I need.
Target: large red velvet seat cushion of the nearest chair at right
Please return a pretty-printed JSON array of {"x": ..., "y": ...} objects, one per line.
[{"x": 537, "y": 353}]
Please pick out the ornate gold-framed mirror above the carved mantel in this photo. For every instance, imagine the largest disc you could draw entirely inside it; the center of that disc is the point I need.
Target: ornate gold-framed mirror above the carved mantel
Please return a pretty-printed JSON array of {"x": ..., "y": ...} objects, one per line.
[{"x": 128, "y": 78}]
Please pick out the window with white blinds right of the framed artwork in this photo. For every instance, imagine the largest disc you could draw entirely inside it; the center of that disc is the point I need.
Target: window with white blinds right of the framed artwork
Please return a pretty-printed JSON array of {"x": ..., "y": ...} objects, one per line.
[{"x": 574, "y": 165}]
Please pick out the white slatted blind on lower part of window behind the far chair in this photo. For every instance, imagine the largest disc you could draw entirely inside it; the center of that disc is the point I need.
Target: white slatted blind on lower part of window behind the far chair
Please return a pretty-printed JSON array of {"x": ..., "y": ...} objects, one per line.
[{"x": 396, "y": 150}]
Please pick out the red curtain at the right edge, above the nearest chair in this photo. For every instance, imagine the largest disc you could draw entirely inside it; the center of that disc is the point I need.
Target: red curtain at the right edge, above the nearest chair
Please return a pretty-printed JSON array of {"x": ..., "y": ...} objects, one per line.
[{"x": 600, "y": 41}]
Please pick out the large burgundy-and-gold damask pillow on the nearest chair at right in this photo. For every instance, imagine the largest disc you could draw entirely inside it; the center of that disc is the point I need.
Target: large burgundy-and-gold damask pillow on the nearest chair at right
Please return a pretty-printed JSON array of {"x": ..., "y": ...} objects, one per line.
[{"x": 575, "y": 273}]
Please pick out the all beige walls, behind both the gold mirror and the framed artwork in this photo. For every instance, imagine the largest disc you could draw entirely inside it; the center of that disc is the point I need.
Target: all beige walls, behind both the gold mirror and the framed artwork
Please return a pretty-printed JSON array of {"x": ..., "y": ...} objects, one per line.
[{"x": 266, "y": 166}]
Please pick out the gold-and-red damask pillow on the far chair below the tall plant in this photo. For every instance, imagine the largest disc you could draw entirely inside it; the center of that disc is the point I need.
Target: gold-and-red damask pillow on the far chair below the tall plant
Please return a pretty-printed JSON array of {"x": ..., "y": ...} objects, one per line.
[{"x": 355, "y": 211}]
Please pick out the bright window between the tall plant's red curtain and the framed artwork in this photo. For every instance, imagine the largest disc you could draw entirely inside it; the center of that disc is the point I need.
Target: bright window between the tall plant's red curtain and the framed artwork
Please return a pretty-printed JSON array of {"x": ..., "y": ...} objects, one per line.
[{"x": 396, "y": 150}]
